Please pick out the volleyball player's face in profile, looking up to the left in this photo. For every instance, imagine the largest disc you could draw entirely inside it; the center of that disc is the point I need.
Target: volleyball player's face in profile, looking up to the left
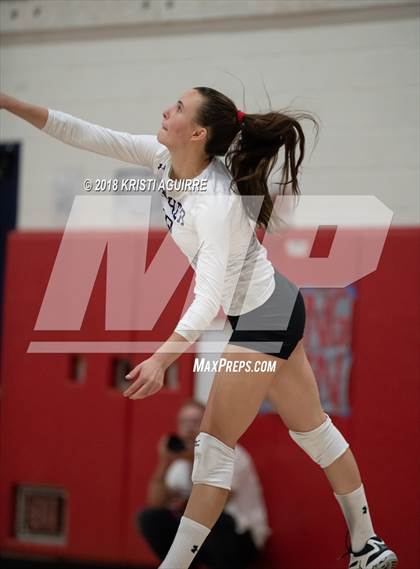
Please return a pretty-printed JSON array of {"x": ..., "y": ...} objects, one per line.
[{"x": 179, "y": 129}]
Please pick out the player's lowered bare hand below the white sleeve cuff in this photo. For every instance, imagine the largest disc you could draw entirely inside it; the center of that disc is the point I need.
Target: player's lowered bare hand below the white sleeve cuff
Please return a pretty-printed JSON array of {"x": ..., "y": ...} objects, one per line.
[{"x": 148, "y": 379}]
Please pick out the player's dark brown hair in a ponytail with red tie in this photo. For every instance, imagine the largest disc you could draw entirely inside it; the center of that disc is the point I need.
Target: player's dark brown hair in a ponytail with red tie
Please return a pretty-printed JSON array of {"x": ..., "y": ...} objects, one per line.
[{"x": 251, "y": 148}]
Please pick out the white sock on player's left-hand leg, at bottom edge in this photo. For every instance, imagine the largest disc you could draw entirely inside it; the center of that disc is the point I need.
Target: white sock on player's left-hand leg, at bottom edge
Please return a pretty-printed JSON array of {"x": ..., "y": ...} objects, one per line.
[{"x": 188, "y": 540}]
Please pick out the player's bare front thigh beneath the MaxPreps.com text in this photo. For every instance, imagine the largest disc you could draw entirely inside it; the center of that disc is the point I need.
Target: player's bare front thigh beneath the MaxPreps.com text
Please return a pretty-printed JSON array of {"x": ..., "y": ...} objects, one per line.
[{"x": 235, "y": 397}]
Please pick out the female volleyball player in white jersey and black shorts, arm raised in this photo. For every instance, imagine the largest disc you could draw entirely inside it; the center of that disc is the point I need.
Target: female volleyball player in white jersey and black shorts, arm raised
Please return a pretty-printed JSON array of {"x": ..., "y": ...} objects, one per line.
[{"x": 265, "y": 309}]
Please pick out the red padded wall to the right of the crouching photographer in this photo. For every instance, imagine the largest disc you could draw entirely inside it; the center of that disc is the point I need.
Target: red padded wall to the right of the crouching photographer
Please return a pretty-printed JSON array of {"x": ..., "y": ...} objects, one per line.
[{"x": 382, "y": 429}]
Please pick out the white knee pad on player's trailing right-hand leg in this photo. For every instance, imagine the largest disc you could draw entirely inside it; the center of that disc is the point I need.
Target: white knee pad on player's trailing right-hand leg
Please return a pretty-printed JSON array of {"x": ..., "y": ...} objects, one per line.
[{"x": 323, "y": 444}]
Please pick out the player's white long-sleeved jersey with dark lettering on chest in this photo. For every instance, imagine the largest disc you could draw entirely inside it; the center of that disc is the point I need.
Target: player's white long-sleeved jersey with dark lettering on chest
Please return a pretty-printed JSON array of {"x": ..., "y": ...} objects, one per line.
[{"x": 211, "y": 227}]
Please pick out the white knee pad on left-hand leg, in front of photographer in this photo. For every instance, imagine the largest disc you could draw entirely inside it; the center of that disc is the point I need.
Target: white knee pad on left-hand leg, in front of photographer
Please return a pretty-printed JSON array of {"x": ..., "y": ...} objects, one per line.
[{"x": 213, "y": 462}]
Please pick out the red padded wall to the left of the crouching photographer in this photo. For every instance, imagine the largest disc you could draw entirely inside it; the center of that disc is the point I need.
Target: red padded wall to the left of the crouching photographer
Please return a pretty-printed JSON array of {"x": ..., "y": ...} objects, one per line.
[{"x": 85, "y": 437}]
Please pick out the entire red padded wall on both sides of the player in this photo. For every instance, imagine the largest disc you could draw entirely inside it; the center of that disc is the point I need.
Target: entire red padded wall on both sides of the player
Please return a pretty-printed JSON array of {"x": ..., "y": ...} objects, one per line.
[{"x": 102, "y": 448}]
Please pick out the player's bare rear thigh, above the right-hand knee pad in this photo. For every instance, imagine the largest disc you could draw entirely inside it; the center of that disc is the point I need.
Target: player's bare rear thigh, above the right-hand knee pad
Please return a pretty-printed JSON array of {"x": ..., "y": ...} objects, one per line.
[{"x": 294, "y": 393}]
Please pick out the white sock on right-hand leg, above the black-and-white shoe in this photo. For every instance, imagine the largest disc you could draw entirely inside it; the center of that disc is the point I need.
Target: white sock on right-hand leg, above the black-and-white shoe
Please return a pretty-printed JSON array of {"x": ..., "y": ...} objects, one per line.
[{"x": 356, "y": 512}]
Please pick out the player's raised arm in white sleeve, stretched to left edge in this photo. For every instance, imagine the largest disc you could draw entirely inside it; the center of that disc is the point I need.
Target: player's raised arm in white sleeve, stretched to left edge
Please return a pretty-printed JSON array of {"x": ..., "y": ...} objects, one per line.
[{"x": 136, "y": 148}]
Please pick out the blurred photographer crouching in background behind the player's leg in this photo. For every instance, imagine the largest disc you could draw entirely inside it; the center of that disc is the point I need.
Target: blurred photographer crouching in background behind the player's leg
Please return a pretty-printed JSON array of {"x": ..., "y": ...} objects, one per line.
[{"x": 241, "y": 530}]
